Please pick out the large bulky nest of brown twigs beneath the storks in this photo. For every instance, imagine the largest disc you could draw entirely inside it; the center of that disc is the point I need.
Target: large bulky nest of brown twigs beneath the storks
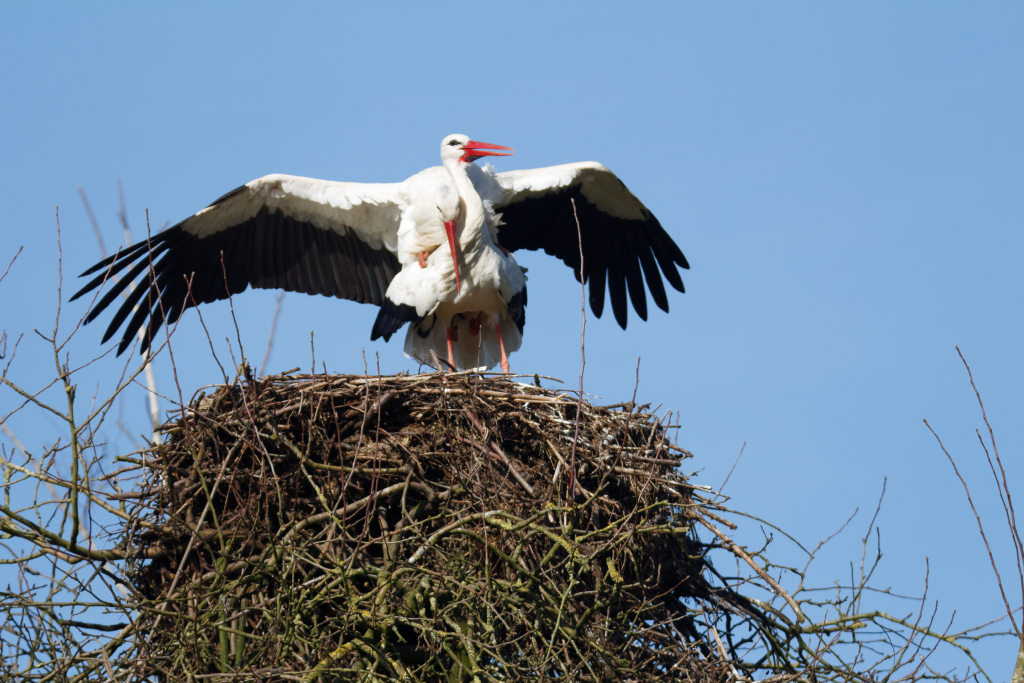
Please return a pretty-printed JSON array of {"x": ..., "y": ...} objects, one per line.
[{"x": 424, "y": 529}]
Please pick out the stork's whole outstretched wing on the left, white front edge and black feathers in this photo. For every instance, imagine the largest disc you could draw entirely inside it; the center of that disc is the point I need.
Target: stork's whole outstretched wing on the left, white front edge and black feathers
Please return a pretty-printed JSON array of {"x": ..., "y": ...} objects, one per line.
[{"x": 279, "y": 232}]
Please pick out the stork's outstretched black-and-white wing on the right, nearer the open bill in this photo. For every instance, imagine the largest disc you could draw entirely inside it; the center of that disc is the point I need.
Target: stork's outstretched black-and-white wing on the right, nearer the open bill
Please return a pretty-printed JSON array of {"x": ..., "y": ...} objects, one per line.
[{"x": 620, "y": 236}]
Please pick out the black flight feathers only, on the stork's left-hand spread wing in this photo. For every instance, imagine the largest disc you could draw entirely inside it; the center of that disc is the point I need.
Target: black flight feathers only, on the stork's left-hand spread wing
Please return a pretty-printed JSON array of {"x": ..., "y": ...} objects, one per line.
[{"x": 269, "y": 251}]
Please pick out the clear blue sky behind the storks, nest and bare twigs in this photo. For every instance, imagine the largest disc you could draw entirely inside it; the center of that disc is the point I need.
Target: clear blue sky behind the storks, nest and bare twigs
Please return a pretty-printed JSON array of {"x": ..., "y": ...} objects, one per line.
[{"x": 846, "y": 183}]
